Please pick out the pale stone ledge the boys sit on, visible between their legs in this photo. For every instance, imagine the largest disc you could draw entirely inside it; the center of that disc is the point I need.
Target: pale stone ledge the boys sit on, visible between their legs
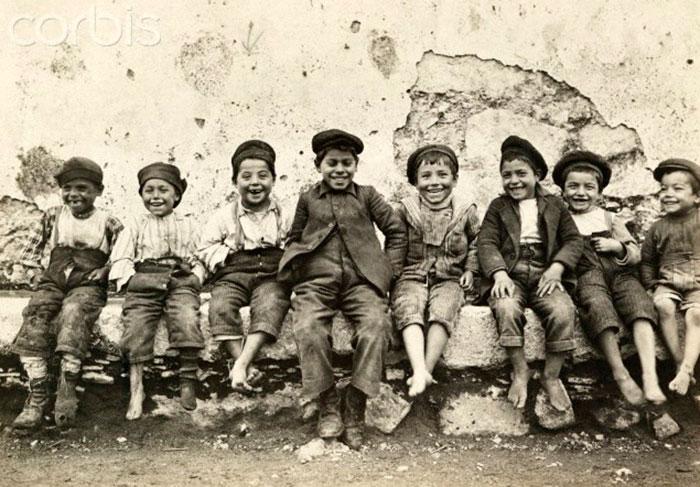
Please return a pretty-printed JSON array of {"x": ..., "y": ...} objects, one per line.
[{"x": 474, "y": 342}]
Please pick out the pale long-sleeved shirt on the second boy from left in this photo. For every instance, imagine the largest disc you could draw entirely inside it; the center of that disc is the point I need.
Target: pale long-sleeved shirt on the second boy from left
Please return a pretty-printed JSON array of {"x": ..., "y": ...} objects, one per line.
[{"x": 153, "y": 237}]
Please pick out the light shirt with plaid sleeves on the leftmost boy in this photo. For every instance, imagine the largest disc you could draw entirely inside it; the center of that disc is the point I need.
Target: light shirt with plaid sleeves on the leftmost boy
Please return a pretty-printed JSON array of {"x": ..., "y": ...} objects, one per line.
[{"x": 58, "y": 227}]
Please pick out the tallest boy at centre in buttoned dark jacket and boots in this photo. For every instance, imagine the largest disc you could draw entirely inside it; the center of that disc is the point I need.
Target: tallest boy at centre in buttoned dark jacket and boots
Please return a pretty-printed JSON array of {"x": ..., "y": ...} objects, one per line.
[{"x": 335, "y": 262}]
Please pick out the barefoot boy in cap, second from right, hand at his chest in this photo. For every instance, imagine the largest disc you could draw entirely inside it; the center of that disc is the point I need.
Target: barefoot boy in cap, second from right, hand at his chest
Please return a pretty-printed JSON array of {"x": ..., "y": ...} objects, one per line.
[{"x": 608, "y": 290}]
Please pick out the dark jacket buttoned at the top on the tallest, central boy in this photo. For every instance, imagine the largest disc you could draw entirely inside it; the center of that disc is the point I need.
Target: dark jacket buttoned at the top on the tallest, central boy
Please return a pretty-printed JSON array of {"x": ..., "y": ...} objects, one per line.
[{"x": 353, "y": 214}]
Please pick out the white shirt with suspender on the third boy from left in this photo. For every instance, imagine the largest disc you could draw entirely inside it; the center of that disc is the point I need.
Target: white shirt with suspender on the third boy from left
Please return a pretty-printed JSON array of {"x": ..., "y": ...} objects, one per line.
[{"x": 234, "y": 228}]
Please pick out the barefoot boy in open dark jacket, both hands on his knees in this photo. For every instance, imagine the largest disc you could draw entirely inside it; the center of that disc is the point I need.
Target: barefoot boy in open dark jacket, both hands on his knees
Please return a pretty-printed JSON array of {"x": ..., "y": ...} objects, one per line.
[{"x": 527, "y": 245}]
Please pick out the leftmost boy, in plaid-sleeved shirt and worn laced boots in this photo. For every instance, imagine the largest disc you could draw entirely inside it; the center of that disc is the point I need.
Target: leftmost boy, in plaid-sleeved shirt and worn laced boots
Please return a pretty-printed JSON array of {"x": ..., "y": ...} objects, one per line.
[{"x": 70, "y": 293}]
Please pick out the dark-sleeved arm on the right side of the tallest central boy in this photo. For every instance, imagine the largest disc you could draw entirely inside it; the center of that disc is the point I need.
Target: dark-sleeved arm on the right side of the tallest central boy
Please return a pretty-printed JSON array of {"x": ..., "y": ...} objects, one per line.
[{"x": 393, "y": 228}]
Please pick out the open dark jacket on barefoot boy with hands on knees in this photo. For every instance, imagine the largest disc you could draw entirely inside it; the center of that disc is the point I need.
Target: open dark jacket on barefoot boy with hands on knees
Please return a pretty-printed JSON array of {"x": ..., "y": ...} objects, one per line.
[{"x": 499, "y": 240}]
